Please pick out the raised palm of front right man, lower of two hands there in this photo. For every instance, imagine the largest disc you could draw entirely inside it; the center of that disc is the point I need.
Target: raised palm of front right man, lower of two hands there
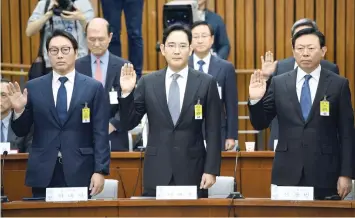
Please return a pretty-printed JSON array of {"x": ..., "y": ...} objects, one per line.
[{"x": 257, "y": 86}]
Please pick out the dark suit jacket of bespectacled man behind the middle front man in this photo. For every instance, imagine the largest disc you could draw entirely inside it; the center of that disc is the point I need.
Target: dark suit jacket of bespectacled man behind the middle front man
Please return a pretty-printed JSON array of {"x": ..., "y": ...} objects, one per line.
[{"x": 224, "y": 73}]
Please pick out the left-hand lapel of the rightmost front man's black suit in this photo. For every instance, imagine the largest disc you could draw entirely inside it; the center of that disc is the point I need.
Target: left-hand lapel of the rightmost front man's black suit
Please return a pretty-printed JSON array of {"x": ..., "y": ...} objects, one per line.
[{"x": 292, "y": 93}]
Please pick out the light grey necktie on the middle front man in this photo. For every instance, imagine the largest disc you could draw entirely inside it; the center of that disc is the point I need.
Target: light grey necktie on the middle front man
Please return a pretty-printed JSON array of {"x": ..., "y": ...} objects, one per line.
[{"x": 174, "y": 99}]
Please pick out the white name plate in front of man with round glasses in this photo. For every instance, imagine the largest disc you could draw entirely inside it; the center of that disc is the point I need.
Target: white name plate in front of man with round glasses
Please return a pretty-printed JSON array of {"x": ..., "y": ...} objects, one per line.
[{"x": 66, "y": 194}]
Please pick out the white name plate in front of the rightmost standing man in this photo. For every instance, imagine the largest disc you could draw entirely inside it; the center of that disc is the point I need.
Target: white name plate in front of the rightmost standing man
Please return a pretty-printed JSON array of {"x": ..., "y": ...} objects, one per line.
[{"x": 292, "y": 193}]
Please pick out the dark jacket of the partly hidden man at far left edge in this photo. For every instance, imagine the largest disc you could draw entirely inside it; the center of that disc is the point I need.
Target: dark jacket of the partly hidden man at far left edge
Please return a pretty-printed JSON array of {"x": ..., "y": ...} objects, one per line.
[{"x": 22, "y": 144}]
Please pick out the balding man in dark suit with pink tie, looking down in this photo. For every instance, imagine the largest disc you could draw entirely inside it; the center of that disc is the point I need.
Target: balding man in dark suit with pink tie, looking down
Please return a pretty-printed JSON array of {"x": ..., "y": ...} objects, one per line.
[{"x": 106, "y": 68}]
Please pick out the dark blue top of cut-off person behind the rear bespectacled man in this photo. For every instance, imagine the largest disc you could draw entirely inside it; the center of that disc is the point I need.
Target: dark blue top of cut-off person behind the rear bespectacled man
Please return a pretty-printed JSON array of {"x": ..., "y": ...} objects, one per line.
[{"x": 221, "y": 43}]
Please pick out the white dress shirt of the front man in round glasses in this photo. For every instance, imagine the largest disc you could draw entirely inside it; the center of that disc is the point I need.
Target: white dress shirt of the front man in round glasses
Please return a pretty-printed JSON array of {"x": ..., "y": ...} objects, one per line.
[{"x": 69, "y": 86}]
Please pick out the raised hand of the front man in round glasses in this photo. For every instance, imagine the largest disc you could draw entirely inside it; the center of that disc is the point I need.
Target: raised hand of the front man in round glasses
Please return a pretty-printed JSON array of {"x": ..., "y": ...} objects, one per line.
[{"x": 17, "y": 98}]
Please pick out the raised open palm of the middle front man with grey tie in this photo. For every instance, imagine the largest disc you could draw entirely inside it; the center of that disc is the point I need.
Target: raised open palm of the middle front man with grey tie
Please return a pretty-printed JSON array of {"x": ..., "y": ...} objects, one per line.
[{"x": 128, "y": 78}]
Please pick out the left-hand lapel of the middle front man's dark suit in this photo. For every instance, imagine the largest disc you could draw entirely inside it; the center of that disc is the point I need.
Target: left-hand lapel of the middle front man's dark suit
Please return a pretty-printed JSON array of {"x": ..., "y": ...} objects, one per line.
[{"x": 160, "y": 93}]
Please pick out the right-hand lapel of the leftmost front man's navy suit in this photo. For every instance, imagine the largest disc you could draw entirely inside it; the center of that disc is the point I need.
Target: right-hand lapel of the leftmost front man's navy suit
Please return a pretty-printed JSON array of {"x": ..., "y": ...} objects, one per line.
[{"x": 78, "y": 91}]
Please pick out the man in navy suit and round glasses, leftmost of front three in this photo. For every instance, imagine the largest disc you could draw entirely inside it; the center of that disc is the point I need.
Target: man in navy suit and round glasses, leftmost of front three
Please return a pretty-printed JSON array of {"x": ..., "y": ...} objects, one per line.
[{"x": 70, "y": 114}]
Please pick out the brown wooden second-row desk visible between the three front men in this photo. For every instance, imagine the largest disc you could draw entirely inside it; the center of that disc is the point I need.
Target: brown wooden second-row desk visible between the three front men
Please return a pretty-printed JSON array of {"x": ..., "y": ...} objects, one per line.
[{"x": 253, "y": 174}]
